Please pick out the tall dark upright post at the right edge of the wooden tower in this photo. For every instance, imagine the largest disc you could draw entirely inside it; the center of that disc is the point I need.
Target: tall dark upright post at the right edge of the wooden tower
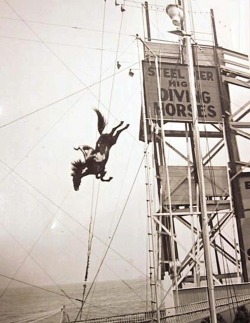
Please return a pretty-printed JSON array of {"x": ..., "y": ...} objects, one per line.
[{"x": 233, "y": 154}]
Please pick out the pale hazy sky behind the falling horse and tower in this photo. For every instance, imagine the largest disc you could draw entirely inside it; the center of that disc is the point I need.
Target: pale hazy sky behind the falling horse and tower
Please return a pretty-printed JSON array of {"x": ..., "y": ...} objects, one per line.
[{"x": 58, "y": 63}]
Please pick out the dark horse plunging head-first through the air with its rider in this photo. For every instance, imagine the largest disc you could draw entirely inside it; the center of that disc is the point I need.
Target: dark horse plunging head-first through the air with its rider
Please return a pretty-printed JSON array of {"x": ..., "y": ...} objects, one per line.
[{"x": 96, "y": 159}]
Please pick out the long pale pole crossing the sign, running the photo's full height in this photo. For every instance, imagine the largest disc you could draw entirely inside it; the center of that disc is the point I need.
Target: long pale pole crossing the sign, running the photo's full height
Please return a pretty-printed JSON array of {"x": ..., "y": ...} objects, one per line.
[{"x": 200, "y": 173}]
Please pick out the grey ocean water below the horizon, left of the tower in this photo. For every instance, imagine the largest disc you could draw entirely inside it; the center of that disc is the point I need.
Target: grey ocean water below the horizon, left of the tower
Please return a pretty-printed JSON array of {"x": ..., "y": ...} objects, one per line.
[{"x": 105, "y": 299}]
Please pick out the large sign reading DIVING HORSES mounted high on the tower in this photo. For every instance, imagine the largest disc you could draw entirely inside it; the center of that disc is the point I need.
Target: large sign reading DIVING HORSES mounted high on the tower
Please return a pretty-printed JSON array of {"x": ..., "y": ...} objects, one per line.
[{"x": 175, "y": 94}]
